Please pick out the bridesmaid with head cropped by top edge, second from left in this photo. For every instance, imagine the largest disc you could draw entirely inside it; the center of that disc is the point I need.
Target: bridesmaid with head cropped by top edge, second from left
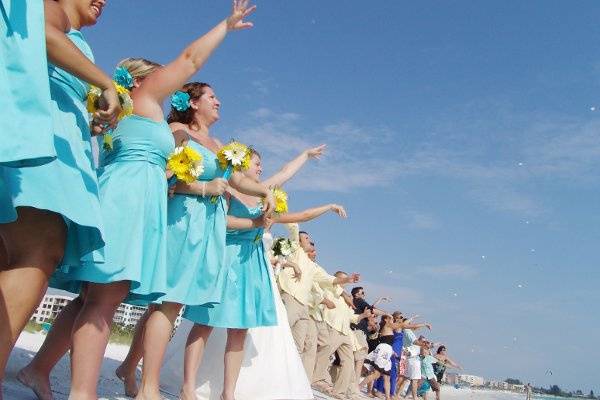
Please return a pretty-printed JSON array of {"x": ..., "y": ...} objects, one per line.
[{"x": 47, "y": 216}]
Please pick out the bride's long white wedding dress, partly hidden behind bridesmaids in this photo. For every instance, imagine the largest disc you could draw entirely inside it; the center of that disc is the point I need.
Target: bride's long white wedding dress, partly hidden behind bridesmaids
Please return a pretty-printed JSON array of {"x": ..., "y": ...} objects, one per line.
[{"x": 271, "y": 370}]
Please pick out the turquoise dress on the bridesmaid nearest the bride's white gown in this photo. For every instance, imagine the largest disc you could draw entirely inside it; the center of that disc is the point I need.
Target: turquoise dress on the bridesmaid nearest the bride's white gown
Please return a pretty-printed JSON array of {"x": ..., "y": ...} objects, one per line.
[{"x": 248, "y": 301}]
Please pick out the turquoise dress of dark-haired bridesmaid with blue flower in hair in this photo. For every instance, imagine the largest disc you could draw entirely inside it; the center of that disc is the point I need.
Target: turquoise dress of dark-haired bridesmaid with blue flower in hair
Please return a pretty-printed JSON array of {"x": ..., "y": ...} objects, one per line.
[{"x": 196, "y": 242}]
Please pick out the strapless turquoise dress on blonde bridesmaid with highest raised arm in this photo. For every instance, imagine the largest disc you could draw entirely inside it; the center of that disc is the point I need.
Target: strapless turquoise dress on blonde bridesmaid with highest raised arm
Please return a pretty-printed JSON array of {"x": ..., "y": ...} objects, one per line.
[{"x": 133, "y": 199}]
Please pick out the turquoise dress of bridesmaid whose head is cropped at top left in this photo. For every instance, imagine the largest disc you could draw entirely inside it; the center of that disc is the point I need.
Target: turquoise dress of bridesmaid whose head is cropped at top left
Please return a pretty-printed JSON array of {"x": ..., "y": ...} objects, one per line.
[{"x": 68, "y": 185}]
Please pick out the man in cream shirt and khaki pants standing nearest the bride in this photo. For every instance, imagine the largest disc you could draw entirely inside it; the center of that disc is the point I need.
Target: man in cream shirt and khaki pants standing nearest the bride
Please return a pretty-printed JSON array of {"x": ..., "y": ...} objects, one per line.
[{"x": 296, "y": 295}]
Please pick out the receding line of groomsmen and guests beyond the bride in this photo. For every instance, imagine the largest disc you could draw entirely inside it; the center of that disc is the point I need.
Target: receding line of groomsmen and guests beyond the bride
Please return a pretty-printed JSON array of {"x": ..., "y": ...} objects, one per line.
[{"x": 346, "y": 343}]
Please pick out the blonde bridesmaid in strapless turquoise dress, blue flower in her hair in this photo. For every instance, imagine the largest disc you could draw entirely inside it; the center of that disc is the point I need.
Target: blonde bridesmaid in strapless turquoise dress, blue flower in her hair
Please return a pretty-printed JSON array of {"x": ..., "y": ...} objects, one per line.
[{"x": 135, "y": 221}]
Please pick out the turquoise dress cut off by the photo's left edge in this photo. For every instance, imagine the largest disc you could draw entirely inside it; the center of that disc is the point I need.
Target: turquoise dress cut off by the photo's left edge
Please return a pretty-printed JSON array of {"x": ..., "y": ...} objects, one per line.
[{"x": 25, "y": 119}]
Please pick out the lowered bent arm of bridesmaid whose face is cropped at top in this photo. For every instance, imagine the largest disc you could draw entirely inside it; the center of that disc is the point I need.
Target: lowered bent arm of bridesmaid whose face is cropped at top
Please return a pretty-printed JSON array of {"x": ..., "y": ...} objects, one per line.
[{"x": 63, "y": 53}]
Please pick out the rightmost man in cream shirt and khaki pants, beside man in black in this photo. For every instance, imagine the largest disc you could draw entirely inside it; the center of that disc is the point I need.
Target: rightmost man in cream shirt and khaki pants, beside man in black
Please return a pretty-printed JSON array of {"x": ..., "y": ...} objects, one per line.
[{"x": 340, "y": 339}]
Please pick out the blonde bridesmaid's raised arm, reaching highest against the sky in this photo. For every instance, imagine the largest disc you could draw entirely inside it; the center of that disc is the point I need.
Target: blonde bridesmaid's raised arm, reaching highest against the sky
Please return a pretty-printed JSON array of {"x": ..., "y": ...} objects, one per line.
[{"x": 172, "y": 76}]
